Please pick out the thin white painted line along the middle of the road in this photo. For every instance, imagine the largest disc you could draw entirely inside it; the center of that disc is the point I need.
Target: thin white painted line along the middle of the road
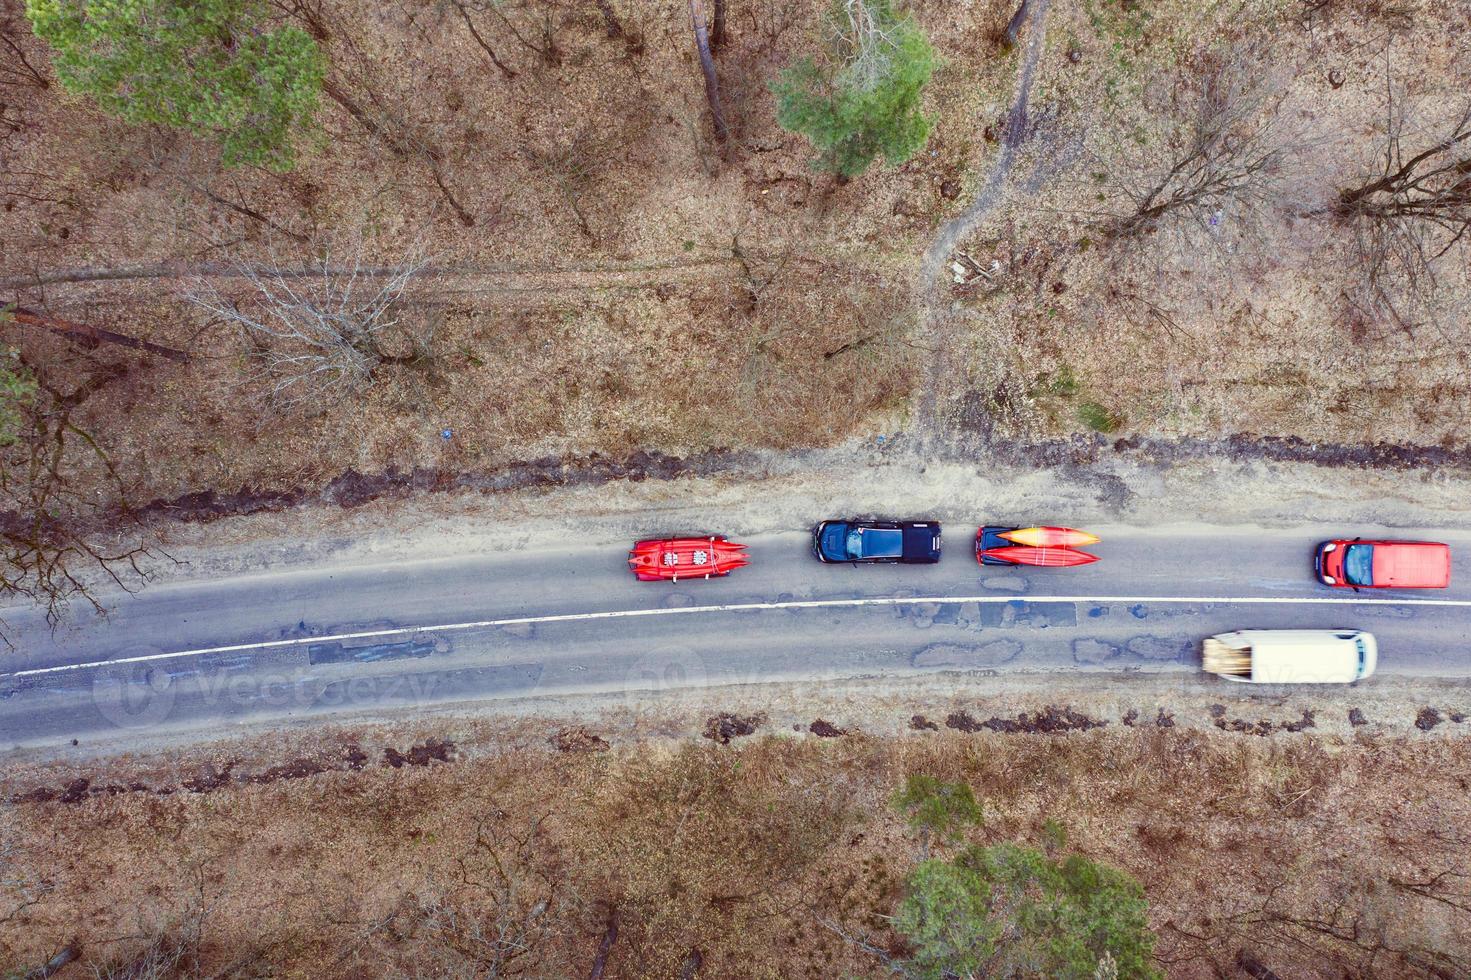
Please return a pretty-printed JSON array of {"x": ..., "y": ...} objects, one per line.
[{"x": 752, "y": 607}]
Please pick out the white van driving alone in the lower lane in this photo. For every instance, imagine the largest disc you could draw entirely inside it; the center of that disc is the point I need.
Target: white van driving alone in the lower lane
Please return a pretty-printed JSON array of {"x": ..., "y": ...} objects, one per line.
[{"x": 1292, "y": 657}]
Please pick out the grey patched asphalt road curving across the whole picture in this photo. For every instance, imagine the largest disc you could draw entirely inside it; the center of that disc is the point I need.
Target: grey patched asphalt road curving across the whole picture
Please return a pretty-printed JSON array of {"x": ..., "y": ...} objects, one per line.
[{"x": 308, "y": 644}]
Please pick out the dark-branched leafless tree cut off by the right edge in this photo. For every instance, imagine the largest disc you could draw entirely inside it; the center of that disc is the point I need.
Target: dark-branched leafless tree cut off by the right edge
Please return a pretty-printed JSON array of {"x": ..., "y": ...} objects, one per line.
[{"x": 1413, "y": 210}]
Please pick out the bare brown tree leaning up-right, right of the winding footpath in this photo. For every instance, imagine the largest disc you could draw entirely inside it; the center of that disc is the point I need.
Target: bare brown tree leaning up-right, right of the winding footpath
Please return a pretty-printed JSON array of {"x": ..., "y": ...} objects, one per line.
[{"x": 1232, "y": 155}]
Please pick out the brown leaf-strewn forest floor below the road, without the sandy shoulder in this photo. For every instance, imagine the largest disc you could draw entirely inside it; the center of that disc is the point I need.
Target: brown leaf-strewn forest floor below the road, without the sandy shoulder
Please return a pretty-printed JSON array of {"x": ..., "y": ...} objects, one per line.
[{"x": 1311, "y": 854}]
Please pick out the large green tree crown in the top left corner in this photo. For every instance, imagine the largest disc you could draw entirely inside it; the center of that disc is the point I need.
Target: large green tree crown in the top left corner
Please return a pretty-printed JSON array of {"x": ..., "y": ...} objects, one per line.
[{"x": 213, "y": 67}]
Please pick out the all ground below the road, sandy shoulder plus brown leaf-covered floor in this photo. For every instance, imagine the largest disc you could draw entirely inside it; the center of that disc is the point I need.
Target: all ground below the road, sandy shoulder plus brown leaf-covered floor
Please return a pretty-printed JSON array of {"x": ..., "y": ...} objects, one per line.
[{"x": 747, "y": 823}]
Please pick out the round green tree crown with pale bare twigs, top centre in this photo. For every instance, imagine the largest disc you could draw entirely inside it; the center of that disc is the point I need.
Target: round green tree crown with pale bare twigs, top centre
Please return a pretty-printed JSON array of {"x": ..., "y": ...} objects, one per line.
[{"x": 863, "y": 96}]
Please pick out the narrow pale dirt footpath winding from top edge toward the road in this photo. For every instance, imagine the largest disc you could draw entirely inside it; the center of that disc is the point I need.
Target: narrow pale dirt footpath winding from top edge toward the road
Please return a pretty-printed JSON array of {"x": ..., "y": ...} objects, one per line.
[{"x": 936, "y": 322}]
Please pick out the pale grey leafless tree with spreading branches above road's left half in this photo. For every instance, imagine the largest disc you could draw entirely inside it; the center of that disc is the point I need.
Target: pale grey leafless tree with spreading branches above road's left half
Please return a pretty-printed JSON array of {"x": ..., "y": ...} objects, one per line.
[{"x": 320, "y": 335}]
